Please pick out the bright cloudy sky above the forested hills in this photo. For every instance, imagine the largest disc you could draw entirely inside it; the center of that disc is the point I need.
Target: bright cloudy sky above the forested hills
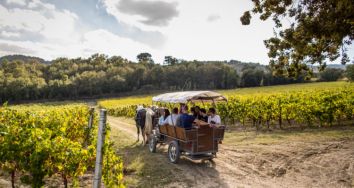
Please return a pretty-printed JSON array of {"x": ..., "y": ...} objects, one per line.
[{"x": 185, "y": 29}]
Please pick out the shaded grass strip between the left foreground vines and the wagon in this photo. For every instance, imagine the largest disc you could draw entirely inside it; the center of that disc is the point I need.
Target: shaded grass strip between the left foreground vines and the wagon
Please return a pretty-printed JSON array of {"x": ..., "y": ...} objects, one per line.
[{"x": 142, "y": 168}]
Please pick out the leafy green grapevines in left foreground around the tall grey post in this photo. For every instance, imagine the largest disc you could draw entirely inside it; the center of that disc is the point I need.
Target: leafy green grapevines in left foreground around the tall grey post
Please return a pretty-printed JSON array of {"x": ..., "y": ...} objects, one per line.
[{"x": 43, "y": 141}]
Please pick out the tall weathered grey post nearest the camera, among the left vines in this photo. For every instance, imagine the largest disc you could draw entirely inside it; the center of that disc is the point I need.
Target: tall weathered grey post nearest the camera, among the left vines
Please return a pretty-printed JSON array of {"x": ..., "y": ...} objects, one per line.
[{"x": 99, "y": 150}]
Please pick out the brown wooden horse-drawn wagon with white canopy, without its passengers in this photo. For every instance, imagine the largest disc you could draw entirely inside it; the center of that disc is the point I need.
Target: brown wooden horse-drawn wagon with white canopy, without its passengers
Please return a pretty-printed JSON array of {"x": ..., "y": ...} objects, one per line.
[{"x": 199, "y": 142}]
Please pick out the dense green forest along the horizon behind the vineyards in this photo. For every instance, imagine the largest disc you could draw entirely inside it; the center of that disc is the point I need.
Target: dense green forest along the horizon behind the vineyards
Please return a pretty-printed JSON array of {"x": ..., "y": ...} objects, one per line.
[{"x": 24, "y": 78}]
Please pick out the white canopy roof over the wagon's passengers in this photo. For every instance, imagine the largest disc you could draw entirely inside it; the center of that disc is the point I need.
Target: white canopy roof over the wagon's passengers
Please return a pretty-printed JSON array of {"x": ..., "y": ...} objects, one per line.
[{"x": 187, "y": 96}]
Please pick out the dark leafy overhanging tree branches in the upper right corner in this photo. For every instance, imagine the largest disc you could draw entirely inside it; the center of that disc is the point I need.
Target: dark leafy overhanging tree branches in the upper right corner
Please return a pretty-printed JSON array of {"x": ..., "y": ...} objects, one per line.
[{"x": 321, "y": 31}]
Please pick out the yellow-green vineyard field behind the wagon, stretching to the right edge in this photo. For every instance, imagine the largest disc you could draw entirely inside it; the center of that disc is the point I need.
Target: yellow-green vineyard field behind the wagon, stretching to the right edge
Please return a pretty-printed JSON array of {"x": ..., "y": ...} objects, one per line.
[{"x": 320, "y": 104}]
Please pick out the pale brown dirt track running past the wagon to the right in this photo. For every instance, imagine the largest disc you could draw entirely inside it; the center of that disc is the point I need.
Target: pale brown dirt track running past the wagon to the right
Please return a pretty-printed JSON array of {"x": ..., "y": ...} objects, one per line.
[{"x": 294, "y": 164}]
